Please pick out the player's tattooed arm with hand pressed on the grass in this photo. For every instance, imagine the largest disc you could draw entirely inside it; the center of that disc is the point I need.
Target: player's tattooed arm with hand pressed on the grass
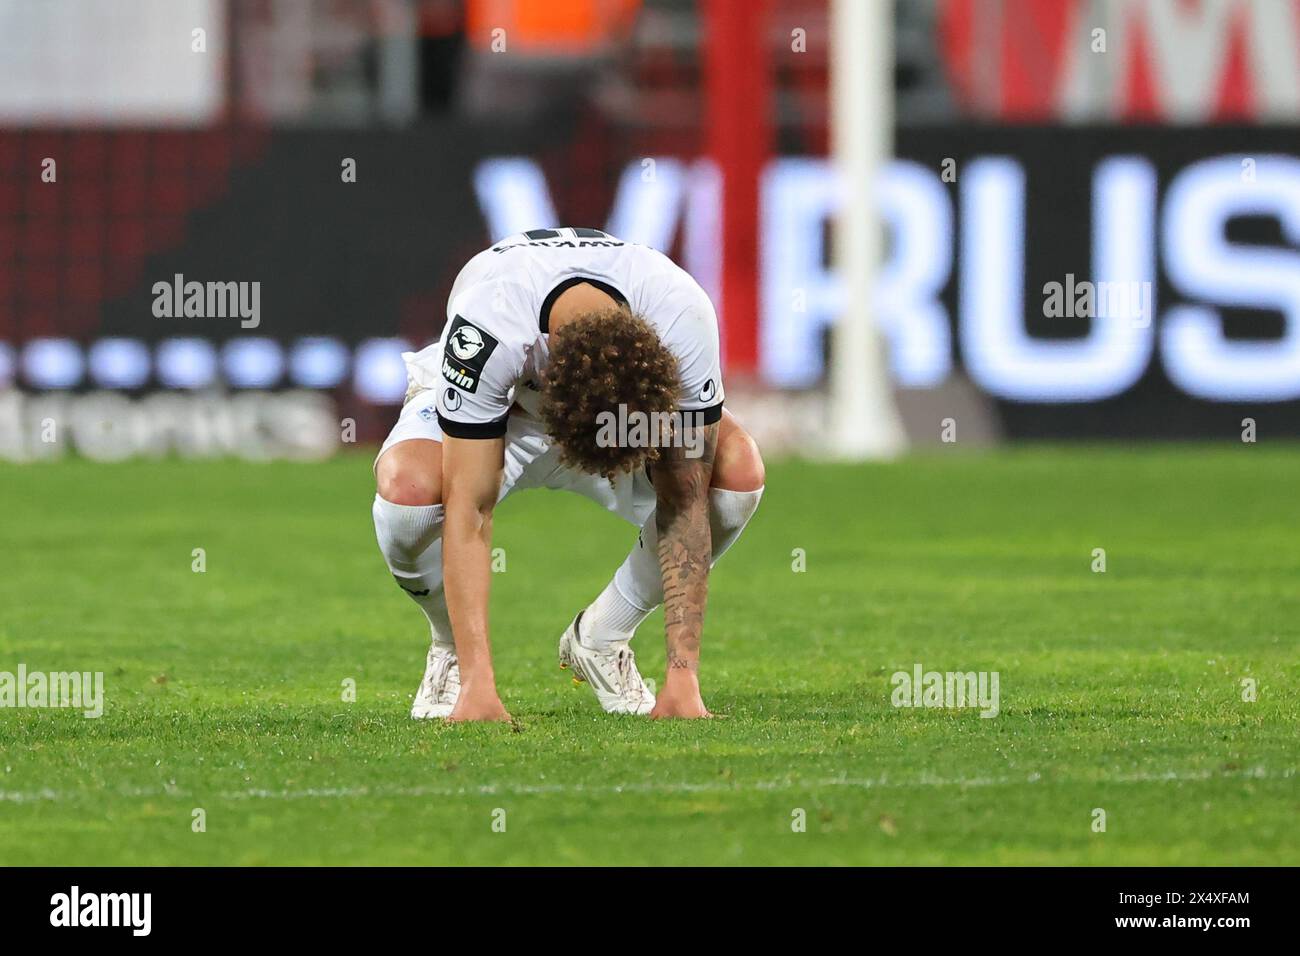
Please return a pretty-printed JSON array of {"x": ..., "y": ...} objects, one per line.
[{"x": 682, "y": 479}]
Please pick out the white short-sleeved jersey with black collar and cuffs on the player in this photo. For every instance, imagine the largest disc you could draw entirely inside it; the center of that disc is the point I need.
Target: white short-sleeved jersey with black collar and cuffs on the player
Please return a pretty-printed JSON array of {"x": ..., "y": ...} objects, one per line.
[{"x": 495, "y": 347}]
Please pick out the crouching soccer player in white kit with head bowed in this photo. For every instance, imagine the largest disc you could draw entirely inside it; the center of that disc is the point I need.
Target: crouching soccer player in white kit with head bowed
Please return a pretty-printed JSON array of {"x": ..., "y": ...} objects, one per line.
[{"x": 560, "y": 347}]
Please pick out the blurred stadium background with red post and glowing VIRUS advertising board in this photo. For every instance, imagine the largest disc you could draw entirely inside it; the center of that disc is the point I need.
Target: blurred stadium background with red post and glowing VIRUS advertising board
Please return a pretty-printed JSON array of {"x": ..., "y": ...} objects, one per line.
[{"x": 1033, "y": 141}]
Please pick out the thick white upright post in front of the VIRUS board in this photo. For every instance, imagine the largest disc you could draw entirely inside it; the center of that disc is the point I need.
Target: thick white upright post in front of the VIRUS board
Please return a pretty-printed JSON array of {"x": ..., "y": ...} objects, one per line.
[{"x": 864, "y": 419}]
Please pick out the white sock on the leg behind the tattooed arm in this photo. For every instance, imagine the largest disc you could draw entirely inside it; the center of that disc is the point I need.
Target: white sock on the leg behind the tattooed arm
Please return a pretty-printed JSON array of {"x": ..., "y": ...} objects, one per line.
[{"x": 638, "y": 586}]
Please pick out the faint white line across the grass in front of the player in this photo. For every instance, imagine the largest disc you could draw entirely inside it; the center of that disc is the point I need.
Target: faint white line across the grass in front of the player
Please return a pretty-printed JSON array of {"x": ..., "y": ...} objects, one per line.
[{"x": 47, "y": 795}]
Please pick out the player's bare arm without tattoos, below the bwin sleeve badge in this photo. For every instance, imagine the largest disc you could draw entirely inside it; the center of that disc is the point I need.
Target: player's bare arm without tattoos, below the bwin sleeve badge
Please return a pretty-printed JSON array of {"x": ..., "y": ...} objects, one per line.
[{"x": 471, "y": 475}]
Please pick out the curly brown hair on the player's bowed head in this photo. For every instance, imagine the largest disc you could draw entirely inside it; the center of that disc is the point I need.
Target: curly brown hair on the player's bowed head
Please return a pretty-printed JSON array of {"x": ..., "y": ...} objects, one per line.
[{"x": 603, "y": 362}]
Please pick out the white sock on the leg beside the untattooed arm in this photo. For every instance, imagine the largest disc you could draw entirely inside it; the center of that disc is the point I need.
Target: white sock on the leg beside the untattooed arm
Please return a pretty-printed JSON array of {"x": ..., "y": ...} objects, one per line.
[{"x": 411, "y": 542}]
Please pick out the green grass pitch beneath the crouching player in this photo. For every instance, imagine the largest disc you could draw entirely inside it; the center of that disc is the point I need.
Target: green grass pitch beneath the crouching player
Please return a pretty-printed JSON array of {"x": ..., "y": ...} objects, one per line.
[{"x": 224, "y": 691}]
